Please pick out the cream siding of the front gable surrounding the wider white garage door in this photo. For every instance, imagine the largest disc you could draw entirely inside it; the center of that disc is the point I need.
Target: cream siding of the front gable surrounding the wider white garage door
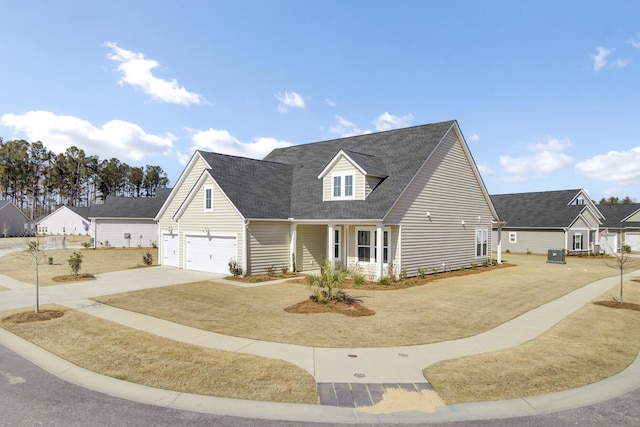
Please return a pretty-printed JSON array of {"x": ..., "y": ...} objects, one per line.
[{"x": 222, "y": 220}]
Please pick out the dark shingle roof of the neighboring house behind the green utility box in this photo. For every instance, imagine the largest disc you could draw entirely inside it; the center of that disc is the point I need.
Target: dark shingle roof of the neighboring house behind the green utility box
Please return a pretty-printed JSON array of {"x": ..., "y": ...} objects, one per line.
[{"x": 545, "y": 209}]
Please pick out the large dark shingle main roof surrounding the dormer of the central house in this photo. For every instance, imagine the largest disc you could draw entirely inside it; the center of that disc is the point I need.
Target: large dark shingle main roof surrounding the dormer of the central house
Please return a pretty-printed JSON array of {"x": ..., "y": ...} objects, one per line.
[{"x": 399, "y": 152}]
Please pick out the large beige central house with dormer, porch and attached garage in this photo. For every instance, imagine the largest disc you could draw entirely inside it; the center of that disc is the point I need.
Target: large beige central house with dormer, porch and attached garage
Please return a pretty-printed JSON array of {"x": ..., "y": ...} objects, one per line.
[{"x": 385, "y": 203}]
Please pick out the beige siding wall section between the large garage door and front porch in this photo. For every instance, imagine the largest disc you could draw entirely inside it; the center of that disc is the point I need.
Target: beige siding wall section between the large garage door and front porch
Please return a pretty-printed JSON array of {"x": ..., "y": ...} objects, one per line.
[{"x": 268, "y": 246}]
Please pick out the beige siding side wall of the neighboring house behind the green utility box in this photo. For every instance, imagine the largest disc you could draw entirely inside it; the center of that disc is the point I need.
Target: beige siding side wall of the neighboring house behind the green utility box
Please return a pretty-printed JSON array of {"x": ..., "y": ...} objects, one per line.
[{"x": 534, "y": 241}]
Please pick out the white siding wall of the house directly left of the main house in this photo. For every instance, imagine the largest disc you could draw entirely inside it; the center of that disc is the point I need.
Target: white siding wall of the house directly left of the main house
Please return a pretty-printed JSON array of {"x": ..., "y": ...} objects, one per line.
[{"x": 110, "y": 232}]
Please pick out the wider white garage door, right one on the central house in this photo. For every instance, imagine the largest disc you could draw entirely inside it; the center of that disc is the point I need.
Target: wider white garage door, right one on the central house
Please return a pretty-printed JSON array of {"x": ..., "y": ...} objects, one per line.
[{"x": 210, "y": 253}]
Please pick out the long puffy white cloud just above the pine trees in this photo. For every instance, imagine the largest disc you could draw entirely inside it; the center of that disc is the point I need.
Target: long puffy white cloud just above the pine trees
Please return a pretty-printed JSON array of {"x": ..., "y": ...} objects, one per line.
[{"x": 115, "y": 138}]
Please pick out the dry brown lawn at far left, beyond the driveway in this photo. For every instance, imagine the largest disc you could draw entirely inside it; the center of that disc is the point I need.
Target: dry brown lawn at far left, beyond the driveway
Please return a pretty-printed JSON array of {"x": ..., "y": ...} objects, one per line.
[{"x": 20, "y": 265}]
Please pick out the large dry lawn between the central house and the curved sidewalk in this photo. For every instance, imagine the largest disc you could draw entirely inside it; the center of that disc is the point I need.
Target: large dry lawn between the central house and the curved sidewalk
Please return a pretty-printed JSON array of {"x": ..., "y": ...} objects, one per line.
[{"x": 444, "y": 309}]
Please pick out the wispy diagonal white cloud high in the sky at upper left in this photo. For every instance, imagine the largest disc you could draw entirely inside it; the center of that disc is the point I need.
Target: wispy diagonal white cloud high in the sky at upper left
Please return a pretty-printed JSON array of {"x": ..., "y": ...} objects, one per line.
[{"x": 137, "y": 72}]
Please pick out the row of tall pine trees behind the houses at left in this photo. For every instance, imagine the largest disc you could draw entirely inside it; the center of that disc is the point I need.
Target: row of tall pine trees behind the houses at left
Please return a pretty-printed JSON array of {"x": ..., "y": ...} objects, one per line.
[{"x": 38, "y": 181}]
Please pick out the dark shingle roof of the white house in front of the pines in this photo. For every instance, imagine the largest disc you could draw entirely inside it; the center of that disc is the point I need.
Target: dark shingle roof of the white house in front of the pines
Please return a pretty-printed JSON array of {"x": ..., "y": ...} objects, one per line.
[{"x": 129, "y": 207}]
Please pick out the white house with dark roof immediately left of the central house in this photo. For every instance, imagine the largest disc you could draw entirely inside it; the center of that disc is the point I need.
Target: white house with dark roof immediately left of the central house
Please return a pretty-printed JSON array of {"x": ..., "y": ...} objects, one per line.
[{"x": 127, "y": 221}]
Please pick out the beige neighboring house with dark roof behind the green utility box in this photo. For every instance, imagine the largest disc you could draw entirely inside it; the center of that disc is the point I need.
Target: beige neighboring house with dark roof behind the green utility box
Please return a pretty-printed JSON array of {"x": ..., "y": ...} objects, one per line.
[{"x": 537, "y": 222}]
